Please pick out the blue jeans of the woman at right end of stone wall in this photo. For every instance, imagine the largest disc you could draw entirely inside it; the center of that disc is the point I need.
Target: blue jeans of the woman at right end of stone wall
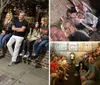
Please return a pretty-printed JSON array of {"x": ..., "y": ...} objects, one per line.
[{"x": 38, "y": 46}]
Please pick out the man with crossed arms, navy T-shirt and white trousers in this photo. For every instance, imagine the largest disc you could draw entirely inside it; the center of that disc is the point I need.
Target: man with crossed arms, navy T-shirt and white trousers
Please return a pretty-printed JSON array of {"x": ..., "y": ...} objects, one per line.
[{"x": 19, "y": 28}]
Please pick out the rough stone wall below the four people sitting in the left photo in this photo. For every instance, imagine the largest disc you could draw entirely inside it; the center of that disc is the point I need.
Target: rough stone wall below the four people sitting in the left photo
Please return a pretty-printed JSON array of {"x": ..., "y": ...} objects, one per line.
[{"x": 43, "y": 61}]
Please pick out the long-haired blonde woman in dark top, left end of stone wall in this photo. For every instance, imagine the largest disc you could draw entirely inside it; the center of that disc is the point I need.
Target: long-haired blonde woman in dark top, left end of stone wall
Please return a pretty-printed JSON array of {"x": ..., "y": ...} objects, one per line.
[{"x": 6, "y": 31}]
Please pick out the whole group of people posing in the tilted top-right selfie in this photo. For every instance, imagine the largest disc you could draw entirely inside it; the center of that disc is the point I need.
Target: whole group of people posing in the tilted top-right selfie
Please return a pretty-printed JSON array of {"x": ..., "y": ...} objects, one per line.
[{"x": 79, "y": 24}]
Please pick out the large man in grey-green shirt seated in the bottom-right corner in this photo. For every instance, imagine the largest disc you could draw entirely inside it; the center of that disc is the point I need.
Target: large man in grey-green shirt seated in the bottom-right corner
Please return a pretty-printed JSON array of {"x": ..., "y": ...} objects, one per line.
[{"x": 92, "y": 77}]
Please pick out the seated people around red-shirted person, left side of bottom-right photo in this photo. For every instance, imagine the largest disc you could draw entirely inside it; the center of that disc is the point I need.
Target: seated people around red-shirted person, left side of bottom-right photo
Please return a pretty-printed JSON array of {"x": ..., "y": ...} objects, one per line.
[{"x": 58, "y": 67}]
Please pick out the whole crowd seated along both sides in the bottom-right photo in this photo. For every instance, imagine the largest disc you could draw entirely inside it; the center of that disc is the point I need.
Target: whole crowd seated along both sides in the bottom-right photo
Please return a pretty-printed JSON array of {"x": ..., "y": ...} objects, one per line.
[{"x": 86, "y": 63}]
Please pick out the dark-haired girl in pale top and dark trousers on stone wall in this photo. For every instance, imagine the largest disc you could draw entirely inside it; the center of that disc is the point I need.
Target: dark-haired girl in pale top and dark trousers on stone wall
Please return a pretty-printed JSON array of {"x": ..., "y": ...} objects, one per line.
[{"x": 32, "y": 36}]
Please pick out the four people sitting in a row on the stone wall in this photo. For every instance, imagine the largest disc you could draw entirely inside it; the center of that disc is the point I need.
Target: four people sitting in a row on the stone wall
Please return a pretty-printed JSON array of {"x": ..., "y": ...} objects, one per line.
[{"x": 29, "y": 39}]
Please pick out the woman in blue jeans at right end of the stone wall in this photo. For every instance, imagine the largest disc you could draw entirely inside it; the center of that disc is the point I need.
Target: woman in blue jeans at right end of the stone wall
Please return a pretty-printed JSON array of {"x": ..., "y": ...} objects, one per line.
[{"x": 44, "y": 38}]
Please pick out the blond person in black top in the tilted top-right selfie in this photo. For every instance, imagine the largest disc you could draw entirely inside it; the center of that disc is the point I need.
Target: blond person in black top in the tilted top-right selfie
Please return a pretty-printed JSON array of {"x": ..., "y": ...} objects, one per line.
[{"x": 74, "y": 34}]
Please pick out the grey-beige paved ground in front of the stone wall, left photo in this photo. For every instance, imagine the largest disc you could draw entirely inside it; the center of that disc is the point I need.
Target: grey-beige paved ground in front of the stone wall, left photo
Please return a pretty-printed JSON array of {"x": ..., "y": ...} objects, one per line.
[{"x": 21, "y": 74}]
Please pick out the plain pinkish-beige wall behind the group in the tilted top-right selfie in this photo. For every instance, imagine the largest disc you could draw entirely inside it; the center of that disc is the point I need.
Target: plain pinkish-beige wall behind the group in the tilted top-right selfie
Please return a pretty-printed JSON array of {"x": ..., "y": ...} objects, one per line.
[{"x": 58, "y": 9}]
